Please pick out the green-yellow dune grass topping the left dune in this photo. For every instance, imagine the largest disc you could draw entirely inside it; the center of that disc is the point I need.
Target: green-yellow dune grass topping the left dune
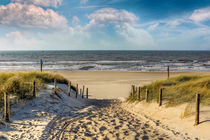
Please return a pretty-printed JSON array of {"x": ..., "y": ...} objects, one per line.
[{"x": 20, "y": 84}]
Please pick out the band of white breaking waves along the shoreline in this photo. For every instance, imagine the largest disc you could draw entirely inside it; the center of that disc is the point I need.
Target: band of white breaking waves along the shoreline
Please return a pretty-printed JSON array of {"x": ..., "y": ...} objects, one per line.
[{"x": 138, "y": 65}]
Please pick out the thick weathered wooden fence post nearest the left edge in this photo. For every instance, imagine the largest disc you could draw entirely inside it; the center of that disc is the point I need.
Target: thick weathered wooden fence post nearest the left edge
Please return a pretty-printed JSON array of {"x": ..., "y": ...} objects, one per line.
[{"x": 6, "y": 107}]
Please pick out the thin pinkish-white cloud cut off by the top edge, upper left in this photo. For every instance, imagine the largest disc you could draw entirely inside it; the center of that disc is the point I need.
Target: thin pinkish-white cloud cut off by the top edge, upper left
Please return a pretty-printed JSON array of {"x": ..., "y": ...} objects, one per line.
[{"x": 45, "y": 3}]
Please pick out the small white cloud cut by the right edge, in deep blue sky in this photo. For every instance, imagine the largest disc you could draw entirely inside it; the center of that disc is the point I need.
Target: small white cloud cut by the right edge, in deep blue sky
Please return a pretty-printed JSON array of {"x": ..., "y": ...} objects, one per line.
[{"x": 201, "y": 15}]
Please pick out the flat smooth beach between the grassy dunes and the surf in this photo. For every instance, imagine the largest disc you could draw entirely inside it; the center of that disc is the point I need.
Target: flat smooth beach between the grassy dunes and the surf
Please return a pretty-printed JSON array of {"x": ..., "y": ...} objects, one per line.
[{"x": 115, "y": 84}]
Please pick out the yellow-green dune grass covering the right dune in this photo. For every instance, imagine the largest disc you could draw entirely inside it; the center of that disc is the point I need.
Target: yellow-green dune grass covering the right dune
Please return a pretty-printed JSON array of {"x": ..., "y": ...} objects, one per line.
[{"x": 177, "y": 90}]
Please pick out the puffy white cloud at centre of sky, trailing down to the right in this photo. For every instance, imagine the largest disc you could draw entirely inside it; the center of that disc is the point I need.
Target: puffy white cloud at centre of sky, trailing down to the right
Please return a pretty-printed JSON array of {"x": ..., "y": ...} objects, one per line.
[{"x": 124, "y": 24}]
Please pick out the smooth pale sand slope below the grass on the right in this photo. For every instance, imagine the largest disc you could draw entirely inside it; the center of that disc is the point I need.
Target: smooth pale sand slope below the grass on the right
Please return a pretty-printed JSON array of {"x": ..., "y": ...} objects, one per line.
[{"x": 170, "y": 119}]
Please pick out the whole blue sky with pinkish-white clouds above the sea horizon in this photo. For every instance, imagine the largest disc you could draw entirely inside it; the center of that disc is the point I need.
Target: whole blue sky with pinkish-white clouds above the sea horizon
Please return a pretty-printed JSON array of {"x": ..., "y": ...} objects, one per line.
[{"x": 104, "y": 25}]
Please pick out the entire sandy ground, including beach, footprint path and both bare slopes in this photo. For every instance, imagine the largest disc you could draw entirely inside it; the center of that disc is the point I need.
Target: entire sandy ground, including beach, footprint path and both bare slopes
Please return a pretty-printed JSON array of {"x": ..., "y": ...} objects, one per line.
[{"x": 106, "y": 114}]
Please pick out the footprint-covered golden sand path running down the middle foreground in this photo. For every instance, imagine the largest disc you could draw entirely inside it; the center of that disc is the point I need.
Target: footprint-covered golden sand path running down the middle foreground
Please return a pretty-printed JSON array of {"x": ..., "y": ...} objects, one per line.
[{"x": 103, "y": 120}]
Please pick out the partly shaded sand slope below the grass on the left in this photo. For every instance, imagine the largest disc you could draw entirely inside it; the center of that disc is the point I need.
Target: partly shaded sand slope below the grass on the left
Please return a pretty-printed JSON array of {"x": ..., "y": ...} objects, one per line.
[{"x": 29, "y": 119}]
